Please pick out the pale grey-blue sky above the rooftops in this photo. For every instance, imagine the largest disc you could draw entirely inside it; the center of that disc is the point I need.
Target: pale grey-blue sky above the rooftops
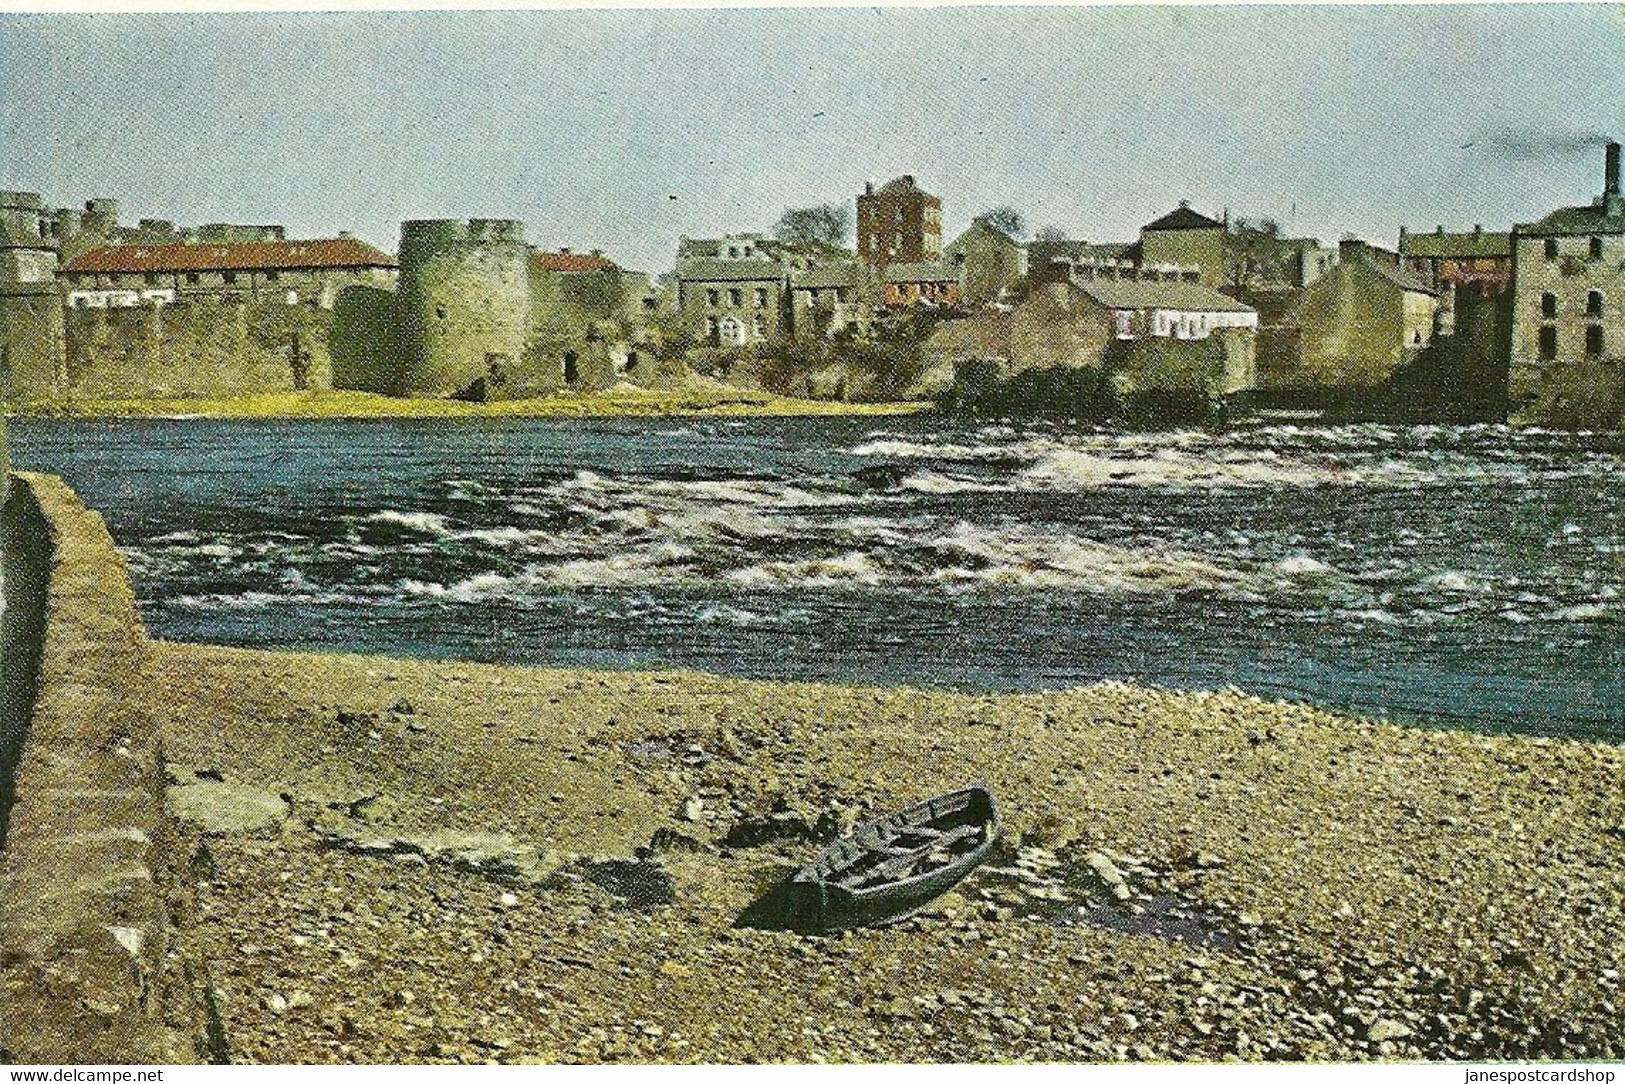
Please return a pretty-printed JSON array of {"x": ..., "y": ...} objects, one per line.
[{"x": 623, "y": 131}]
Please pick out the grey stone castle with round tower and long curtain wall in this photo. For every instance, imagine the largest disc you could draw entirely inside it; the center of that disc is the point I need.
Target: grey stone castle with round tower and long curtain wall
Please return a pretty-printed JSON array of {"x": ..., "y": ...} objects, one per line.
[{"x": 95, "y": 310}]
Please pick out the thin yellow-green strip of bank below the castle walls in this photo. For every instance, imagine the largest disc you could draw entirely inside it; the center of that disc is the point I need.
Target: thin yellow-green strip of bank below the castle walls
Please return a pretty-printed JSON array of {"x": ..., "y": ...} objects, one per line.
[{"x": 706, "y": 401}]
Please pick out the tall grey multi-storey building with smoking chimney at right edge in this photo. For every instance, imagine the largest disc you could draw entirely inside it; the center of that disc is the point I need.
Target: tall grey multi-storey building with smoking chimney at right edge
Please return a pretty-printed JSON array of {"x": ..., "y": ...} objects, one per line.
[{"x": 1569, "y": 311}]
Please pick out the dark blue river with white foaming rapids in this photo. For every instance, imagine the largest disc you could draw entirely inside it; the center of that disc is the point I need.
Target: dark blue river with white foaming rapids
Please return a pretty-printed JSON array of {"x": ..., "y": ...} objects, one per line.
[{"x": 1462, "y": 576}]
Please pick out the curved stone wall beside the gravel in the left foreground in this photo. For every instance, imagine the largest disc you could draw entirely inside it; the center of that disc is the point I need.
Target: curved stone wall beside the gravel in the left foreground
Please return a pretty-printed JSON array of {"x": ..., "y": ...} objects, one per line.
[{"x": 85, "y": 966}]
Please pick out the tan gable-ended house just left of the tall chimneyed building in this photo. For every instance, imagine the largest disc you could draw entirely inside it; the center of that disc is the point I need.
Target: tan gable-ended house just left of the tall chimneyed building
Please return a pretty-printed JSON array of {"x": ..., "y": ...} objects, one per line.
[{"x": 1356, "y": 324}]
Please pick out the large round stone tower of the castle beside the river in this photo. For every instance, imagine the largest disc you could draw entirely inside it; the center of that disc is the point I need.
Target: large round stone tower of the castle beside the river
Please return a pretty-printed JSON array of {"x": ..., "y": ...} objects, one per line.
[{"x": 464, "y": 303}]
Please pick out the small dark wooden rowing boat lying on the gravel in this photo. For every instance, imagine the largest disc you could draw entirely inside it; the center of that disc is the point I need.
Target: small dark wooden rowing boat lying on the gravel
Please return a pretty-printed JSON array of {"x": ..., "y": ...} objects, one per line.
[{"x": 893, "y": 867}]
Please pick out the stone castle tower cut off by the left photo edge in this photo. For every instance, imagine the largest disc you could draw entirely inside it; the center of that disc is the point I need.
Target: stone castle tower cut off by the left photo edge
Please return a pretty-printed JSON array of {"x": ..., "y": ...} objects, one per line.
[{"x": 32, "y": 339}]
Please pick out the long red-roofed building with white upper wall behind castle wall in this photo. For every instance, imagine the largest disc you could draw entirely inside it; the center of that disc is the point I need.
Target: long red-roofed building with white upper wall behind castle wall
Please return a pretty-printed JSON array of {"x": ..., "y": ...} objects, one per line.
[{"x": 297, "y": 272}]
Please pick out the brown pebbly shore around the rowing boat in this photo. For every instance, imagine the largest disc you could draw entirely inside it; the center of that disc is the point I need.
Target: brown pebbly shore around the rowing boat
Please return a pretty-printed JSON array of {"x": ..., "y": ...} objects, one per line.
[{"x": 430, "y": 862}]
